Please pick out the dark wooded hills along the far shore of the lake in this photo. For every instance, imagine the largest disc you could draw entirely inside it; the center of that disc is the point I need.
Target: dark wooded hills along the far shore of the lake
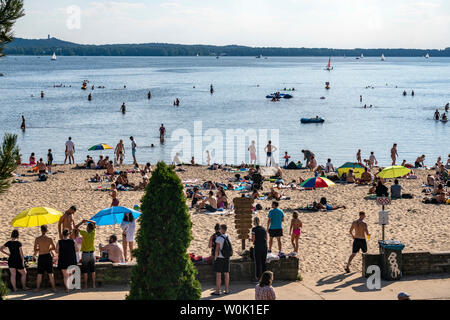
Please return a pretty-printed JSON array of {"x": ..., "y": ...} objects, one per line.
[{"x": 63, "y": 48}]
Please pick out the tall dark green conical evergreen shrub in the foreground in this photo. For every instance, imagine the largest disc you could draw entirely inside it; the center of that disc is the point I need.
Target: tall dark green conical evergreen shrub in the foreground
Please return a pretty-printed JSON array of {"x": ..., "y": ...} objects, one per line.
[{"x": 164, "y": 270}]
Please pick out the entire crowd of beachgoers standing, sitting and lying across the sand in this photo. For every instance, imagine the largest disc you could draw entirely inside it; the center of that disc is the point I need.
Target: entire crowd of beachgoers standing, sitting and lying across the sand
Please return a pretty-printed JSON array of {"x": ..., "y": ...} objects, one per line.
[{"x": 76, "y": 245}]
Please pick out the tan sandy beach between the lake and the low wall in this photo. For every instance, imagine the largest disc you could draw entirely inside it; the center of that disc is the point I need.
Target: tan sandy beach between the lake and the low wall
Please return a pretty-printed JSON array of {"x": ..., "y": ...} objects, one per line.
[{"x": 325, "y": 243}]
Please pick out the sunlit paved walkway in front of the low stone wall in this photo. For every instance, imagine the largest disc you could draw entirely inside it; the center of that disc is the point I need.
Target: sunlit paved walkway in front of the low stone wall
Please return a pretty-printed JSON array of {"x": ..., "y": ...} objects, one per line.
[{"x": 334, "y": 287}]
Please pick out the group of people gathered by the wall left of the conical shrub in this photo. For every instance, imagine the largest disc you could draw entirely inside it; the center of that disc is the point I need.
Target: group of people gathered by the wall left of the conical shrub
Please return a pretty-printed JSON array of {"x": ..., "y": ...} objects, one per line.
[{"x": 74, "y": 246}]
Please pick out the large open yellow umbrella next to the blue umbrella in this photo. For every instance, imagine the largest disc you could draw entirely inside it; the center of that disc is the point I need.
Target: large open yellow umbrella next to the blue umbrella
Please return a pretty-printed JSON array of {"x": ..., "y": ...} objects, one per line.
[{"x": 36, "y": 217}]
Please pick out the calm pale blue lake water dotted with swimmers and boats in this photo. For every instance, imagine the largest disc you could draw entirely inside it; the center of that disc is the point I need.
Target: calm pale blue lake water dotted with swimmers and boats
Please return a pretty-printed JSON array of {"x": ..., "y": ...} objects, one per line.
[{"x": 239, "y": 102}]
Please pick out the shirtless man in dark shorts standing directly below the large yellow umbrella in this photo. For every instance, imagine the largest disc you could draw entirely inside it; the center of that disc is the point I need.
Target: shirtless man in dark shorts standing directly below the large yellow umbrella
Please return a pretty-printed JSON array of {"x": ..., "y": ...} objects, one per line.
[{"x": 44, "y": 246}]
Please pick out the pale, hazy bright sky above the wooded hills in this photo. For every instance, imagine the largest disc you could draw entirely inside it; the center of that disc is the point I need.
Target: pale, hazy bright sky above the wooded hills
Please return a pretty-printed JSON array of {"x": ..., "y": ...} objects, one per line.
[{"x": 286, "y": 23}]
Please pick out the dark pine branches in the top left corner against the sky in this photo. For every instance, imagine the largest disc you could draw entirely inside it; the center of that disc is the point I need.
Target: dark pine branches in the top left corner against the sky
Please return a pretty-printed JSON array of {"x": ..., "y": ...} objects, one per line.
[{"x": 10, "y": 11}]
